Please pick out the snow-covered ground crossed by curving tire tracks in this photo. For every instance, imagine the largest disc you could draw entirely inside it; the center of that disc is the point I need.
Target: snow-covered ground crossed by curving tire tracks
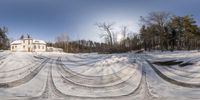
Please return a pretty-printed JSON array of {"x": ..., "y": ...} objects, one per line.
[{"x": 127, "y": 76}]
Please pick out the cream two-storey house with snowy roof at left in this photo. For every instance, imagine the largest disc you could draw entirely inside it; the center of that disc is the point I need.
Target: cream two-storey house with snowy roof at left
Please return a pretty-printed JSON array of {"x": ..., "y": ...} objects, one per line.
[{"x": 27, "y": 44}]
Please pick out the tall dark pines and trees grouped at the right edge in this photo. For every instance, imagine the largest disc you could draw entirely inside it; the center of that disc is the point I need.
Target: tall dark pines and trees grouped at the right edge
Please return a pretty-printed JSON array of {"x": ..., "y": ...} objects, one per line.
[{"x": 162, "y": 31}]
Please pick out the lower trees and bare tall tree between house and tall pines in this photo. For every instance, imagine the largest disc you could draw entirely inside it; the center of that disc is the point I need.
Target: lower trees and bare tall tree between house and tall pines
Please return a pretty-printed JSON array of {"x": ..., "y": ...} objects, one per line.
[{"x": 110, "y": 45}]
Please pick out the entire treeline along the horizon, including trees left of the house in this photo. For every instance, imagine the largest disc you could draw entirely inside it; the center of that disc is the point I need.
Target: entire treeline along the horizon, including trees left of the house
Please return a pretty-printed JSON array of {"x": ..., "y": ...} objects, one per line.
[{"x": 158, "y": 31}]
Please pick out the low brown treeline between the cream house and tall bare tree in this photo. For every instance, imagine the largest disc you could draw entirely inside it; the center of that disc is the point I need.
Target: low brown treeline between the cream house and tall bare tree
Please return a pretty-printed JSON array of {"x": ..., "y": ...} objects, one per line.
[{"x": 77, "y": 46}]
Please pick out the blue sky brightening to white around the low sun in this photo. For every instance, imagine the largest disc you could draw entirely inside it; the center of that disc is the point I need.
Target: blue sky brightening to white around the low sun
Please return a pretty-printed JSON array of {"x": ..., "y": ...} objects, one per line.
[{"x": 46, "y": 19}]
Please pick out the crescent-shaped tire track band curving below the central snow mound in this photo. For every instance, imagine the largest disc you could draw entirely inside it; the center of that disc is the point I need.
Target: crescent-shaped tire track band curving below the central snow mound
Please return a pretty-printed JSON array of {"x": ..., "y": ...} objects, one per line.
[{"x": 96, "y": 79}]
